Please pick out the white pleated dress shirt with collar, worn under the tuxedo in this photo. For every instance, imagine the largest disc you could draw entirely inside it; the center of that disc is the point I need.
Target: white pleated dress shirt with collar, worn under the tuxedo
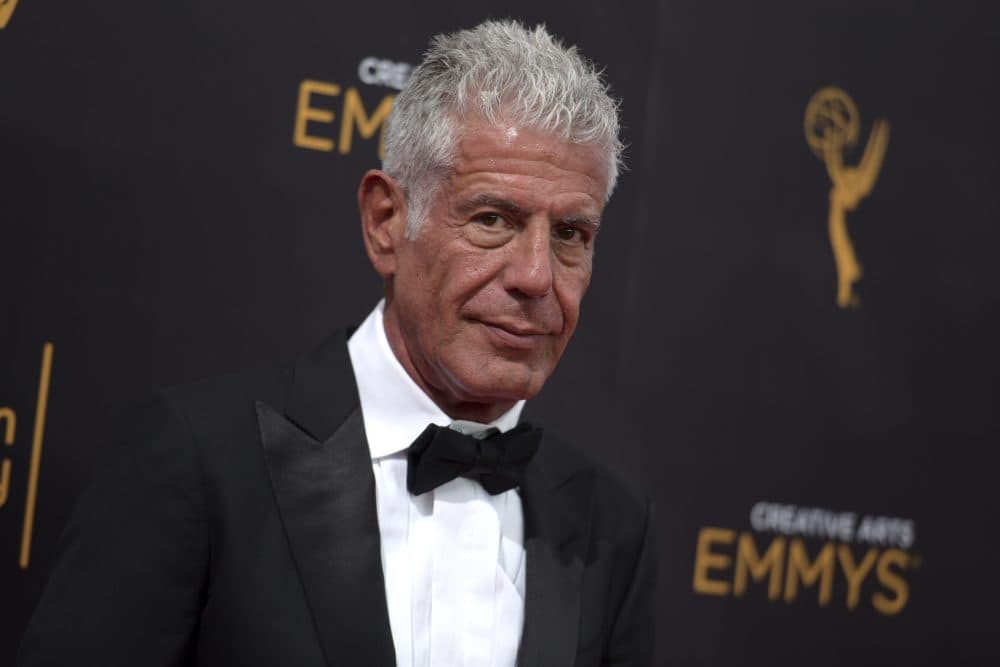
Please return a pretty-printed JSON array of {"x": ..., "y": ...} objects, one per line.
[{"x": 453, "y": 558}]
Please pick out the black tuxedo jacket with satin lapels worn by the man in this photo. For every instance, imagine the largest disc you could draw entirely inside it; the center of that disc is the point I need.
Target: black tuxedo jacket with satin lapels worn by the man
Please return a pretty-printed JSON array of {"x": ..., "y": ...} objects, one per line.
[{"x": 236, "y": 525}]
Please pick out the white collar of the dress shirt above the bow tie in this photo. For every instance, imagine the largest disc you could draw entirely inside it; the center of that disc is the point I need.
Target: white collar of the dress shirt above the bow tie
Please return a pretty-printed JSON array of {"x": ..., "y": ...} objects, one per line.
[{"x": 395, "y": 410}]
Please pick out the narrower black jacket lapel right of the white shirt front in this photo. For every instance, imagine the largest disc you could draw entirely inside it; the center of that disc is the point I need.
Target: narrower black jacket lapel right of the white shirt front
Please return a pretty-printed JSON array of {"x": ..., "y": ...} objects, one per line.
[{"x": 557, "y": 501}]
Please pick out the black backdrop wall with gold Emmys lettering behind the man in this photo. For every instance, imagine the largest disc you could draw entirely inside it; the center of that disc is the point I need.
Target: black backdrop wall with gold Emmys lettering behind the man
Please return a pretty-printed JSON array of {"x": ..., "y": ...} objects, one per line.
[{"x": 790, "y": 340}]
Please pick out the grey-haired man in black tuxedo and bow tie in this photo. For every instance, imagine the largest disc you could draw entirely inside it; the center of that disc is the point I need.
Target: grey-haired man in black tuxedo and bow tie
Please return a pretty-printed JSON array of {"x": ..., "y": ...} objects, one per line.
[{"x": 285, "y": 519}]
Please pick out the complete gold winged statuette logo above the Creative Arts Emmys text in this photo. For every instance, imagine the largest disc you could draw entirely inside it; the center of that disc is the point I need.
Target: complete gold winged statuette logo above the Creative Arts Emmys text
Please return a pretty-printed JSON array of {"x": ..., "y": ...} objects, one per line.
[{"x": 832, "y": 123}]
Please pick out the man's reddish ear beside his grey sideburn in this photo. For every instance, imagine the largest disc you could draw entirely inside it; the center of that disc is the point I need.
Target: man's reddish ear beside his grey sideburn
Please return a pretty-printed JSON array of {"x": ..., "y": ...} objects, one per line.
[{"x": 382, "y": 205}]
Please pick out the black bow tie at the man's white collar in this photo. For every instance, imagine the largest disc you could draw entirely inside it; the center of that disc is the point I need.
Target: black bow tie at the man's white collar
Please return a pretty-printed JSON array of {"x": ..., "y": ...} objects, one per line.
[{"x": 441, "y": 454}]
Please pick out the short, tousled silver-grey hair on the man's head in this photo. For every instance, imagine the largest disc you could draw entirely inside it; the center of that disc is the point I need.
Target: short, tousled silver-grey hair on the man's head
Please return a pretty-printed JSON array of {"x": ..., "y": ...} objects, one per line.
[{"x": 499, "y": 71}]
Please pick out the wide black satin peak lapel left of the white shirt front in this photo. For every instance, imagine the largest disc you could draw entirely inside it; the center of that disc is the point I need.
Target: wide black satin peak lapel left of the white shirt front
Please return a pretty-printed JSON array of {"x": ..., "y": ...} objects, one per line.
[{"x": 321, "y": 473}]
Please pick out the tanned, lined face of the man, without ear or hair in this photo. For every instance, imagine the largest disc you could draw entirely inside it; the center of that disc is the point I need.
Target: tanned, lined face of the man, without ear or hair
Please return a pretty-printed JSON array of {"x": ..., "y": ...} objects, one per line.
[{"x": 485, "y": 297}]
